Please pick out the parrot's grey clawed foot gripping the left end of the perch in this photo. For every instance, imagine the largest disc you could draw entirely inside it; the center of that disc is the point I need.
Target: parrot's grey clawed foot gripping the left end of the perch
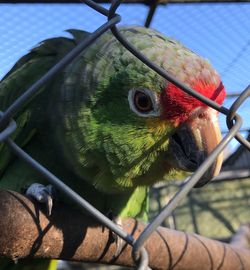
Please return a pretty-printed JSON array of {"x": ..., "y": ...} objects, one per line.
[{"x": 42, "y": 194}]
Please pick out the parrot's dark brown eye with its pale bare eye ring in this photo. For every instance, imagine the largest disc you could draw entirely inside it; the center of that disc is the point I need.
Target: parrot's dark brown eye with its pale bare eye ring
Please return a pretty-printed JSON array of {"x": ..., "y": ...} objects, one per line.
[{"x": 143, "y": 102}]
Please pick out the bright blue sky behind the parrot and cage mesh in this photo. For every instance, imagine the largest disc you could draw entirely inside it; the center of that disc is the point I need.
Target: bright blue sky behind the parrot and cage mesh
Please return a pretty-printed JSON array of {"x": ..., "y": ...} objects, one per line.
[{"x": 219, "y": 32}]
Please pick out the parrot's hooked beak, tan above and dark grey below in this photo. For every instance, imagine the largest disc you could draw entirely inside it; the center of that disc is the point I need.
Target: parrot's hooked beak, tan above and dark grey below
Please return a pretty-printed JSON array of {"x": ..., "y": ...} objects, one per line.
[{"x": 195, "y": 140}]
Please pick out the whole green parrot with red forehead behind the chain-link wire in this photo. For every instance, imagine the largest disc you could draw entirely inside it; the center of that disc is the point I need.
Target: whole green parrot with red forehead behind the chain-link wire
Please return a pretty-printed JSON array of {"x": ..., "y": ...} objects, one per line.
[{"x": 107, "y": 124}]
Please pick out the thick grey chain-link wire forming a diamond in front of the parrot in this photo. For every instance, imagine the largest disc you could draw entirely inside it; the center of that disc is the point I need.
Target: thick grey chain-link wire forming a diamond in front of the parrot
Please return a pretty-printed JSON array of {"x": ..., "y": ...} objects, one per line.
[{"x": 234, "y": 122}]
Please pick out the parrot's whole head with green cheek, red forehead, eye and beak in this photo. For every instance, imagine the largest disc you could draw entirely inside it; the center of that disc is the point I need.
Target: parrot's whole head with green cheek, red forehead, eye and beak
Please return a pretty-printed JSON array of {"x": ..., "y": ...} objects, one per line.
[{"x": 142, "y": 128}]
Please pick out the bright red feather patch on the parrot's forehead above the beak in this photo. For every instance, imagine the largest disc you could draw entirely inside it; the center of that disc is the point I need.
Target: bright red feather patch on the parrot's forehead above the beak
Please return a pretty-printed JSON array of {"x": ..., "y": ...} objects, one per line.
[{"x": 177, "y": 105}]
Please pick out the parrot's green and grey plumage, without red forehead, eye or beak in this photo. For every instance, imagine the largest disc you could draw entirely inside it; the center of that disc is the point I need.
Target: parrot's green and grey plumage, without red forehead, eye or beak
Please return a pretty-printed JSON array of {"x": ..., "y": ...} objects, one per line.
[{"x": 80, "y": 124}]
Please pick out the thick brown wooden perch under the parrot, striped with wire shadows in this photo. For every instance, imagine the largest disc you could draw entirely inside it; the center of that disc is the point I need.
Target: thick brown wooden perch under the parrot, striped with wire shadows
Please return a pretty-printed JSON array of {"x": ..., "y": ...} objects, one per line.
[{"x": 70, "y": 235}]
